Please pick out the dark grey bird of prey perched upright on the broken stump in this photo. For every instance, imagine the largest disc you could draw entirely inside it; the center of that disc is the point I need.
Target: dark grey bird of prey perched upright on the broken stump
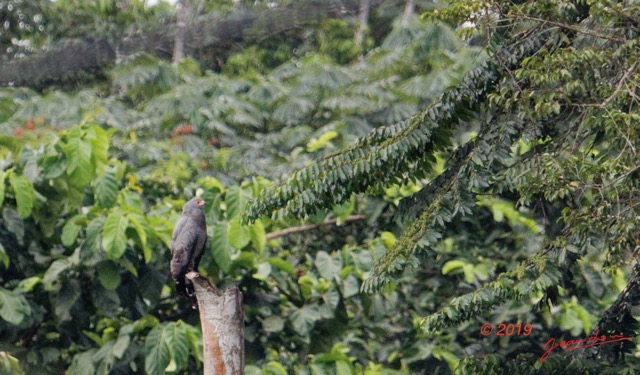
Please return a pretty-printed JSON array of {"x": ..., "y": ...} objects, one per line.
[{"x": 187, "y": 246}]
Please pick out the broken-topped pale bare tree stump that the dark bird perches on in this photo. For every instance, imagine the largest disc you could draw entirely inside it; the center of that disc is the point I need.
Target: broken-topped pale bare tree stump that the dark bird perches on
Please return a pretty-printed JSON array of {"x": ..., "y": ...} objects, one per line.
[{"x": 222, "y": 321}]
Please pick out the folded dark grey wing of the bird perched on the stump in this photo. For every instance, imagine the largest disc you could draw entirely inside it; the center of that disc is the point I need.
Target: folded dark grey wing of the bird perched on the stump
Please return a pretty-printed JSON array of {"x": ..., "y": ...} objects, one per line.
[{"x": 182, "y": 247}]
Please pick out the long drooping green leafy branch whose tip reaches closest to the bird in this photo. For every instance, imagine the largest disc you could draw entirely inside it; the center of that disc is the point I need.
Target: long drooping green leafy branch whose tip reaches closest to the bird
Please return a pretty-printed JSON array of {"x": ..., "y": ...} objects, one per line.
[{"x": 387, "y": 154}]
